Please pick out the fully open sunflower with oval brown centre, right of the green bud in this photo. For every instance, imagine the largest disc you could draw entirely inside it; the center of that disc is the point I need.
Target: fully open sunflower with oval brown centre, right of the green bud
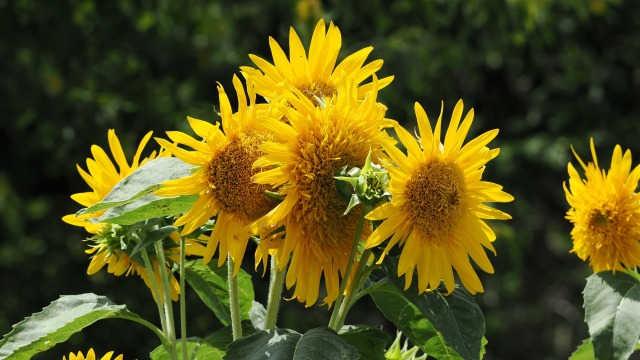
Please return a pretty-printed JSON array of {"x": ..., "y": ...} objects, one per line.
[{"x": 438, "y": 208}]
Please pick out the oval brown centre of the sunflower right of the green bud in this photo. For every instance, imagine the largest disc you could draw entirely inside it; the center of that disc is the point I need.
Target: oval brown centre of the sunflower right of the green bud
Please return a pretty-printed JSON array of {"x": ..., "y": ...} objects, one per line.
[{"x": 435, "y": 199}]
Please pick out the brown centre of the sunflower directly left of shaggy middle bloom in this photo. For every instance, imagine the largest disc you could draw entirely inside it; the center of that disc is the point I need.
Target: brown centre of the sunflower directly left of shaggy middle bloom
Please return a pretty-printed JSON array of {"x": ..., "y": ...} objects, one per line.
[{"x": 230, "y": 175}]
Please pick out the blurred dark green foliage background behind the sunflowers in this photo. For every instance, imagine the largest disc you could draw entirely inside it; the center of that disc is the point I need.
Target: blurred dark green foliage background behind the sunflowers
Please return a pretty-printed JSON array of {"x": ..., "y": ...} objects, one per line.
[{"x": 546, "y": 73}]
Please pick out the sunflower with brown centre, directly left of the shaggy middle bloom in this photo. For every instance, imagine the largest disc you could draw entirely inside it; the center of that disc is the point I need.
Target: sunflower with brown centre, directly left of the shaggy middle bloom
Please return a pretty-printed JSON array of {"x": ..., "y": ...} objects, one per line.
[{"x": 223, "y": 180}]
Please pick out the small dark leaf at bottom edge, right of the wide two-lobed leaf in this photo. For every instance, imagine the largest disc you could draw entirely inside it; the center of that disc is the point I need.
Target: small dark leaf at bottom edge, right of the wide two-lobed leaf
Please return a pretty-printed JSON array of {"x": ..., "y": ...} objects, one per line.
[{"x": 371, "y": 342}]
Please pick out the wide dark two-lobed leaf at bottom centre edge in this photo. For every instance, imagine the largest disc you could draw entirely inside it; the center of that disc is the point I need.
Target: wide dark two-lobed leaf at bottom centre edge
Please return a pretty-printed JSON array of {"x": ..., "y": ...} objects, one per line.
[{"x": 316, "y": 344}]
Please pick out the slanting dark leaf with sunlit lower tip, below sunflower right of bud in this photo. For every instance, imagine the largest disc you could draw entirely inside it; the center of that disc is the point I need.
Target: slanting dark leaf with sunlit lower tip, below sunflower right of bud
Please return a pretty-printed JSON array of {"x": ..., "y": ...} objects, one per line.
[{"x": 408, "y": 318}]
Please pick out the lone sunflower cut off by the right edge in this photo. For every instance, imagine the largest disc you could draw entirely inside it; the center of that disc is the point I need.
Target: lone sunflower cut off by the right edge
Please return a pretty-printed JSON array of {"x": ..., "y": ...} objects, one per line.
[{"x": 605, "y": 212}]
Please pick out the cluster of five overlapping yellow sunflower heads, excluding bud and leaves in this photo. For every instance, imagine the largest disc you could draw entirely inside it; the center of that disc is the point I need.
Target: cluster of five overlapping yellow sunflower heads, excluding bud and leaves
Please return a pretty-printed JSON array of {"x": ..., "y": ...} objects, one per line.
[{"x": 318, "y": 118}]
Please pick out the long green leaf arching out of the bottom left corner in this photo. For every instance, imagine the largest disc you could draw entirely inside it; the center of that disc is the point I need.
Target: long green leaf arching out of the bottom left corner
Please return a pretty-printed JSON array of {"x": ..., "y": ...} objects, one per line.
[{"x": 58, "y": 321}]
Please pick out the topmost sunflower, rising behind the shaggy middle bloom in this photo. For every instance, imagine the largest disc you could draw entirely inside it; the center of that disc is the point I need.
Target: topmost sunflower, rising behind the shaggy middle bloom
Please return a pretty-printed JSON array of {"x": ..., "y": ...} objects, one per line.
[{"x": 315, "y": 74}]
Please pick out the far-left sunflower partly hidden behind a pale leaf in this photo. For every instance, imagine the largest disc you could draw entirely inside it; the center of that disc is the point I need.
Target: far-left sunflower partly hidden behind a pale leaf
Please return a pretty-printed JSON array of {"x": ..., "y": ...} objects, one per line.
[{"x": 106, "y": 246}]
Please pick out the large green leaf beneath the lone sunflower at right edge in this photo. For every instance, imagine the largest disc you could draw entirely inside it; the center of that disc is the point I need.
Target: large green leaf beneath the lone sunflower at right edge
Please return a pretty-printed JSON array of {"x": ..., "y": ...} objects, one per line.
[{"x": 612, "y": 312}]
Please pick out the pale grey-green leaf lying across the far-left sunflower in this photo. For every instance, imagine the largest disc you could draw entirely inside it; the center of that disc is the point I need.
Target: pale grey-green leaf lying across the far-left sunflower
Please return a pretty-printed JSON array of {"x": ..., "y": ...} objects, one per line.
[{"x": 143, "y": 181}]
